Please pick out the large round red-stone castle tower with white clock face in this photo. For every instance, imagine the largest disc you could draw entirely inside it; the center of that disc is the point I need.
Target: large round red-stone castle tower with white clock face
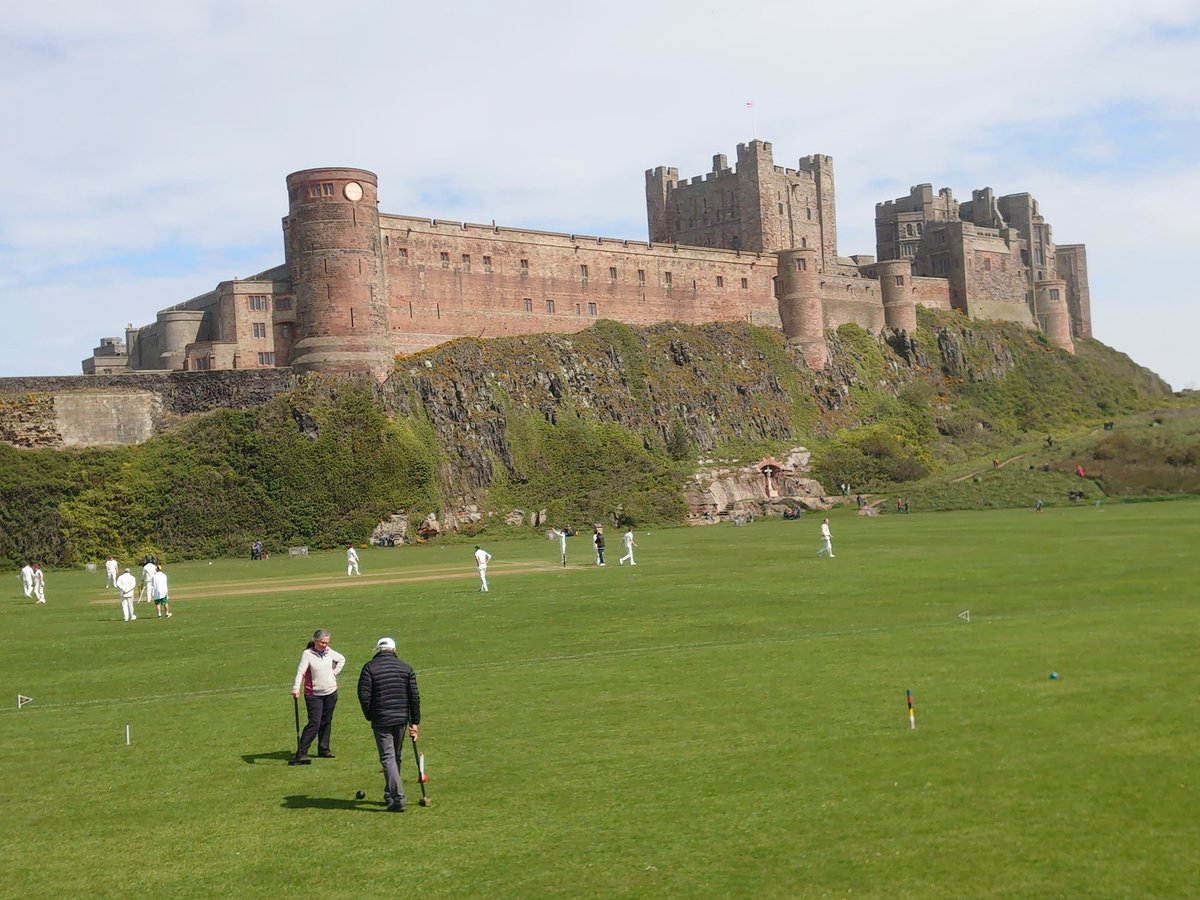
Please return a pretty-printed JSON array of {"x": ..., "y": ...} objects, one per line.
[{"x": 335, "y": 260}]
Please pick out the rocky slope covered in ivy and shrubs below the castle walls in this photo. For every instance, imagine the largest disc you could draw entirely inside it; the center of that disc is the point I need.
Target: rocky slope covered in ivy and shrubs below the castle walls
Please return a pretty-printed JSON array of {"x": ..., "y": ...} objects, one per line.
[{"x": 585, "y": 427}]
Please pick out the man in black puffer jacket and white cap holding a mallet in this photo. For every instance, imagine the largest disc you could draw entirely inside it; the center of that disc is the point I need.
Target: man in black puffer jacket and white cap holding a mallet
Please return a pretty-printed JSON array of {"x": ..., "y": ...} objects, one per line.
[{"x": 391, "y": 703}]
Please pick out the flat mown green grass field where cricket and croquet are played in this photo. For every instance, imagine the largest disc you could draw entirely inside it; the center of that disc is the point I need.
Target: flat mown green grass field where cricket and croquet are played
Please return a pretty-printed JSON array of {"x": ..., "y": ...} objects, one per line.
[{"x": 727, "y": 719}]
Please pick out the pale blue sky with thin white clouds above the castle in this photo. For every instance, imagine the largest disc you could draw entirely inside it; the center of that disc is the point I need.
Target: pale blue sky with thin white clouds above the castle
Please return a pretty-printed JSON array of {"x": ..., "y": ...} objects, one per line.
[{"x": 148, "y": 143}]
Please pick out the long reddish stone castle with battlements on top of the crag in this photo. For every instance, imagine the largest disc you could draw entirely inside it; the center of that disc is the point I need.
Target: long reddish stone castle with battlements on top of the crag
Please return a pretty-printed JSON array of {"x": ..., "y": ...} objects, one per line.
[{"x": 755, "y": 243}]
